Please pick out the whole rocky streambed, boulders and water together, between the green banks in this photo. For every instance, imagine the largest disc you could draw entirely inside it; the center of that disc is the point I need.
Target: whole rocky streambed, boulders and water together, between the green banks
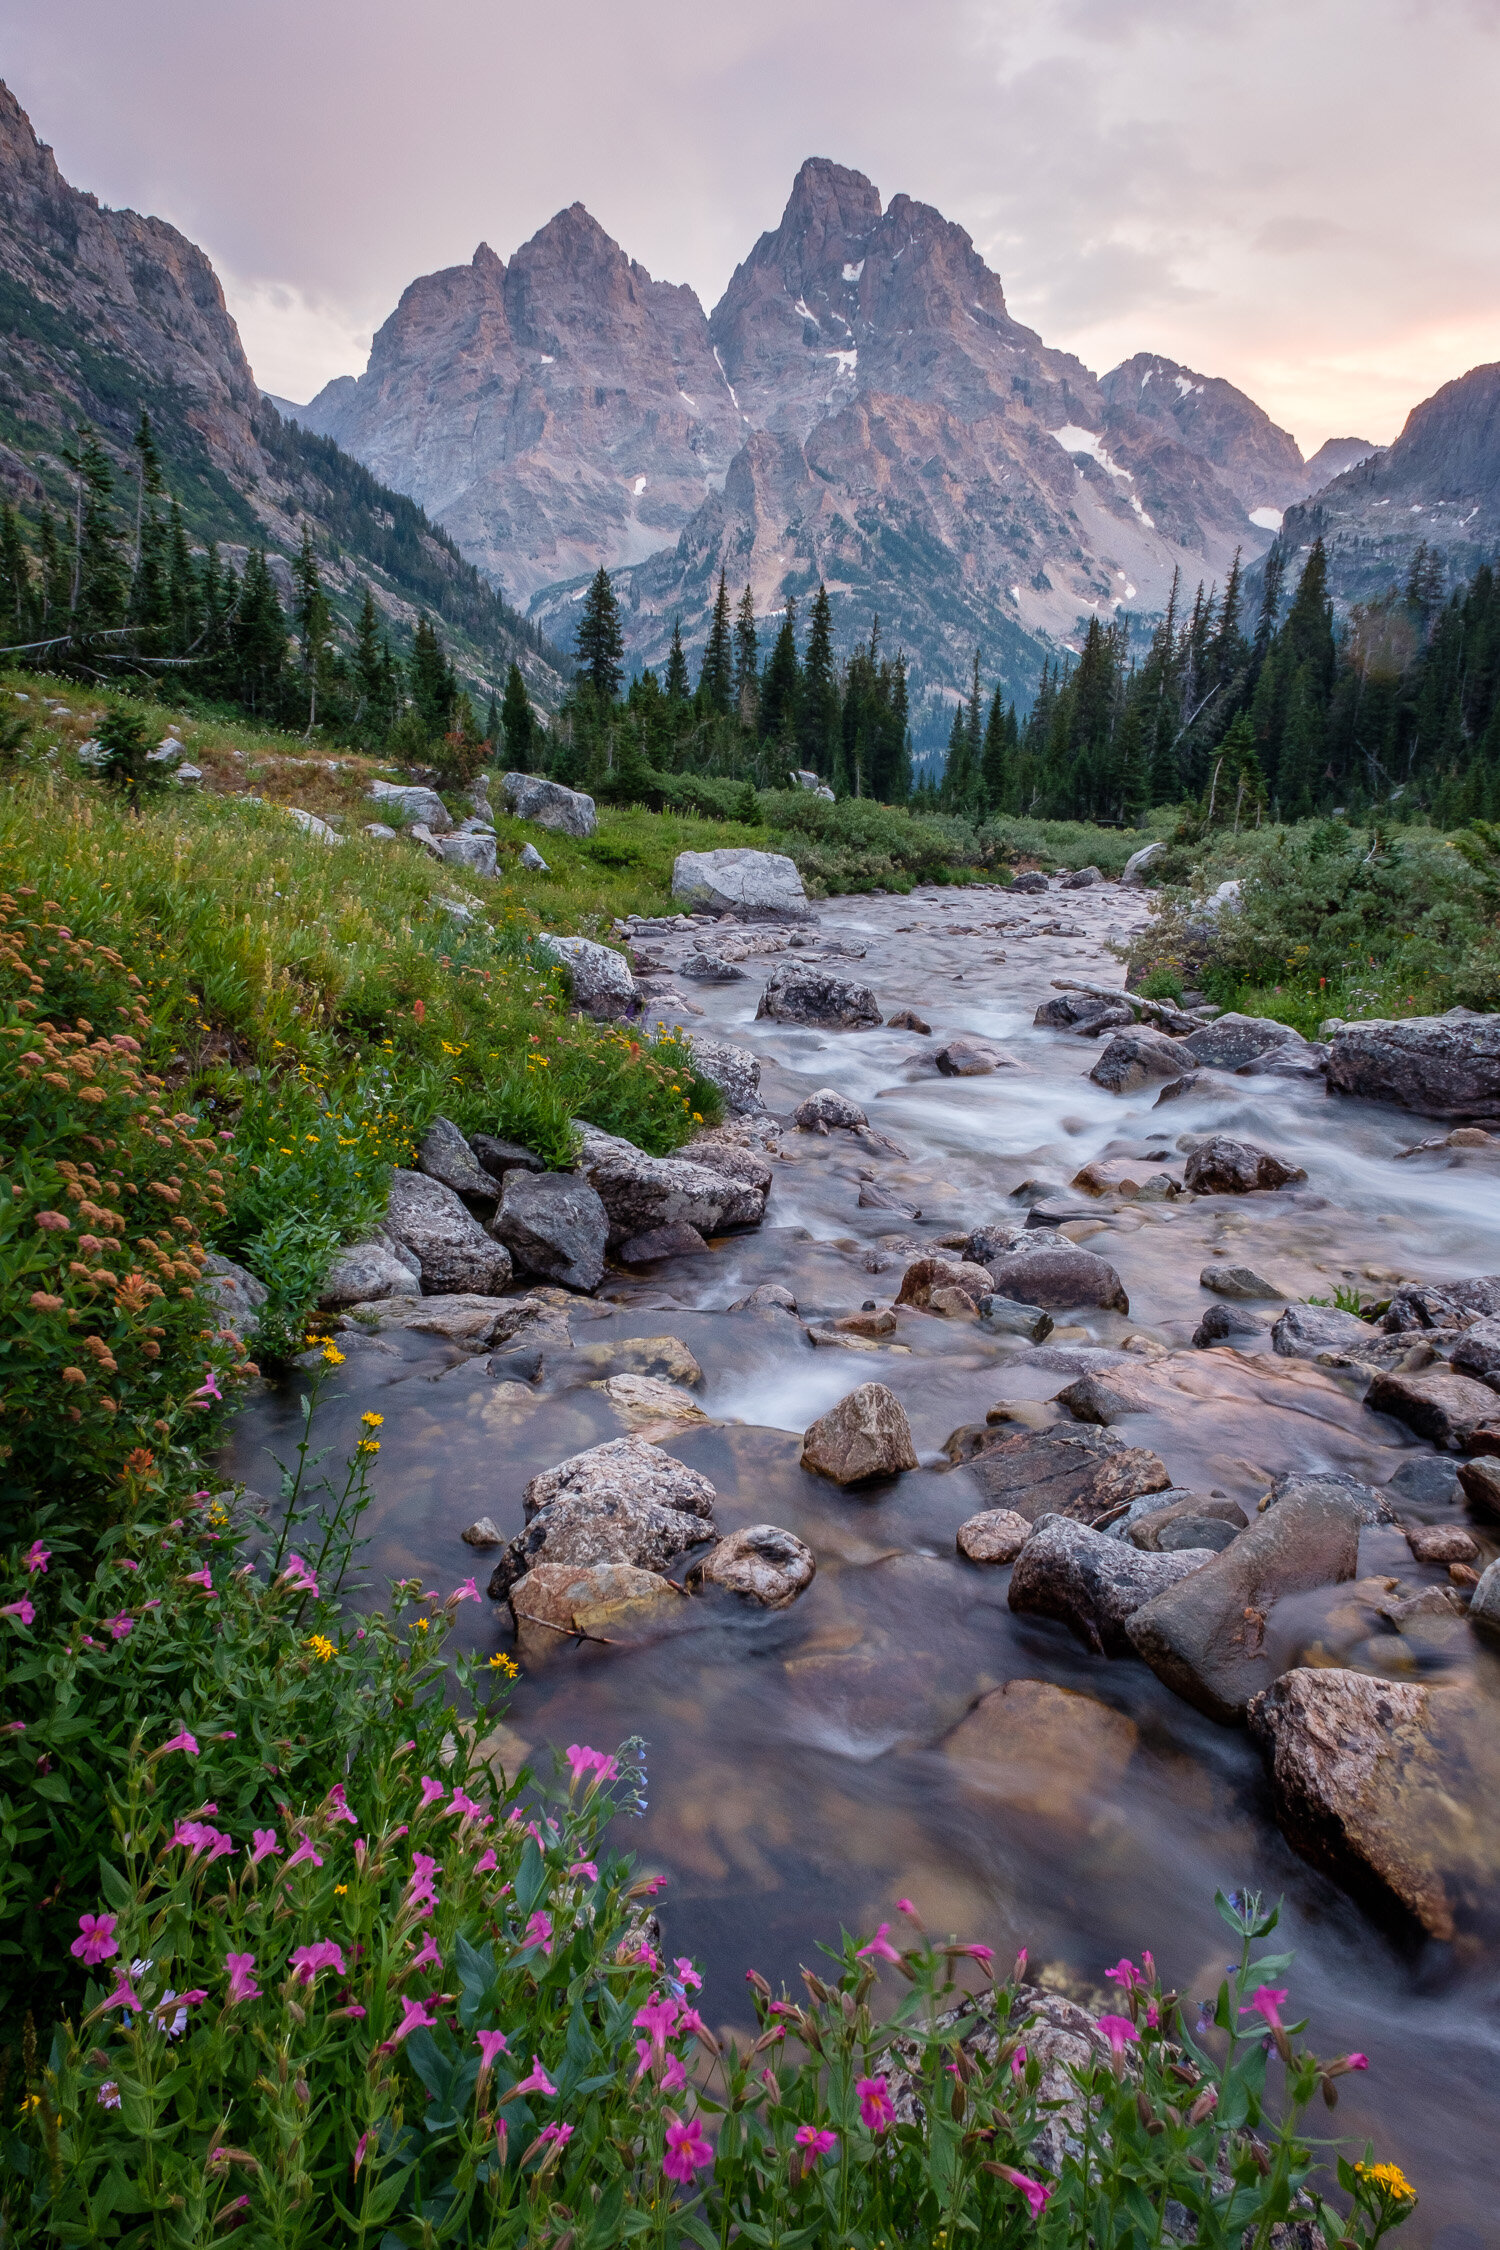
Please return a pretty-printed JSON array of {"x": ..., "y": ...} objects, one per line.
[{"x": 1058, "y": 1734}]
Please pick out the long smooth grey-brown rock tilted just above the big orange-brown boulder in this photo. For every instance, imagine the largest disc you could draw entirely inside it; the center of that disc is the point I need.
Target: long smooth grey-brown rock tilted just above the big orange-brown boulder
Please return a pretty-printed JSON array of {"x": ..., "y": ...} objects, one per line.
[{"x": 1207, "y": 1637}]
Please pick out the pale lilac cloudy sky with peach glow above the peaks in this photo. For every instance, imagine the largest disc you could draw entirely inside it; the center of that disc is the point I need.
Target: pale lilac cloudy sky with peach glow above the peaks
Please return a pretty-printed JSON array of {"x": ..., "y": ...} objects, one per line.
[{"x": 1296, "y": 195}]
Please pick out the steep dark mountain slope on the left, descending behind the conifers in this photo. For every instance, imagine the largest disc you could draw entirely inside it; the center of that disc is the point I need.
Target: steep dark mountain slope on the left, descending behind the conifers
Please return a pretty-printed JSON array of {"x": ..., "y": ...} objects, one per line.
[{"x": 105, "y": 314}]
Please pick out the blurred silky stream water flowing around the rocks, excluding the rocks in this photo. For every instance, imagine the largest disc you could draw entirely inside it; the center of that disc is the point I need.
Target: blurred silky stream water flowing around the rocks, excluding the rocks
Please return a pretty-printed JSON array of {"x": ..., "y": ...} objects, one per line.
[{"x": 799, "y": 1776}]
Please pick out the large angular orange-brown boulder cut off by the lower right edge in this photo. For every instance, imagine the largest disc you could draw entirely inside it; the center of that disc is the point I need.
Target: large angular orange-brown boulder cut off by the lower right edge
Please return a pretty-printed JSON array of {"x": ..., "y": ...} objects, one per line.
[{"x": 1391, "y": 1788}]
